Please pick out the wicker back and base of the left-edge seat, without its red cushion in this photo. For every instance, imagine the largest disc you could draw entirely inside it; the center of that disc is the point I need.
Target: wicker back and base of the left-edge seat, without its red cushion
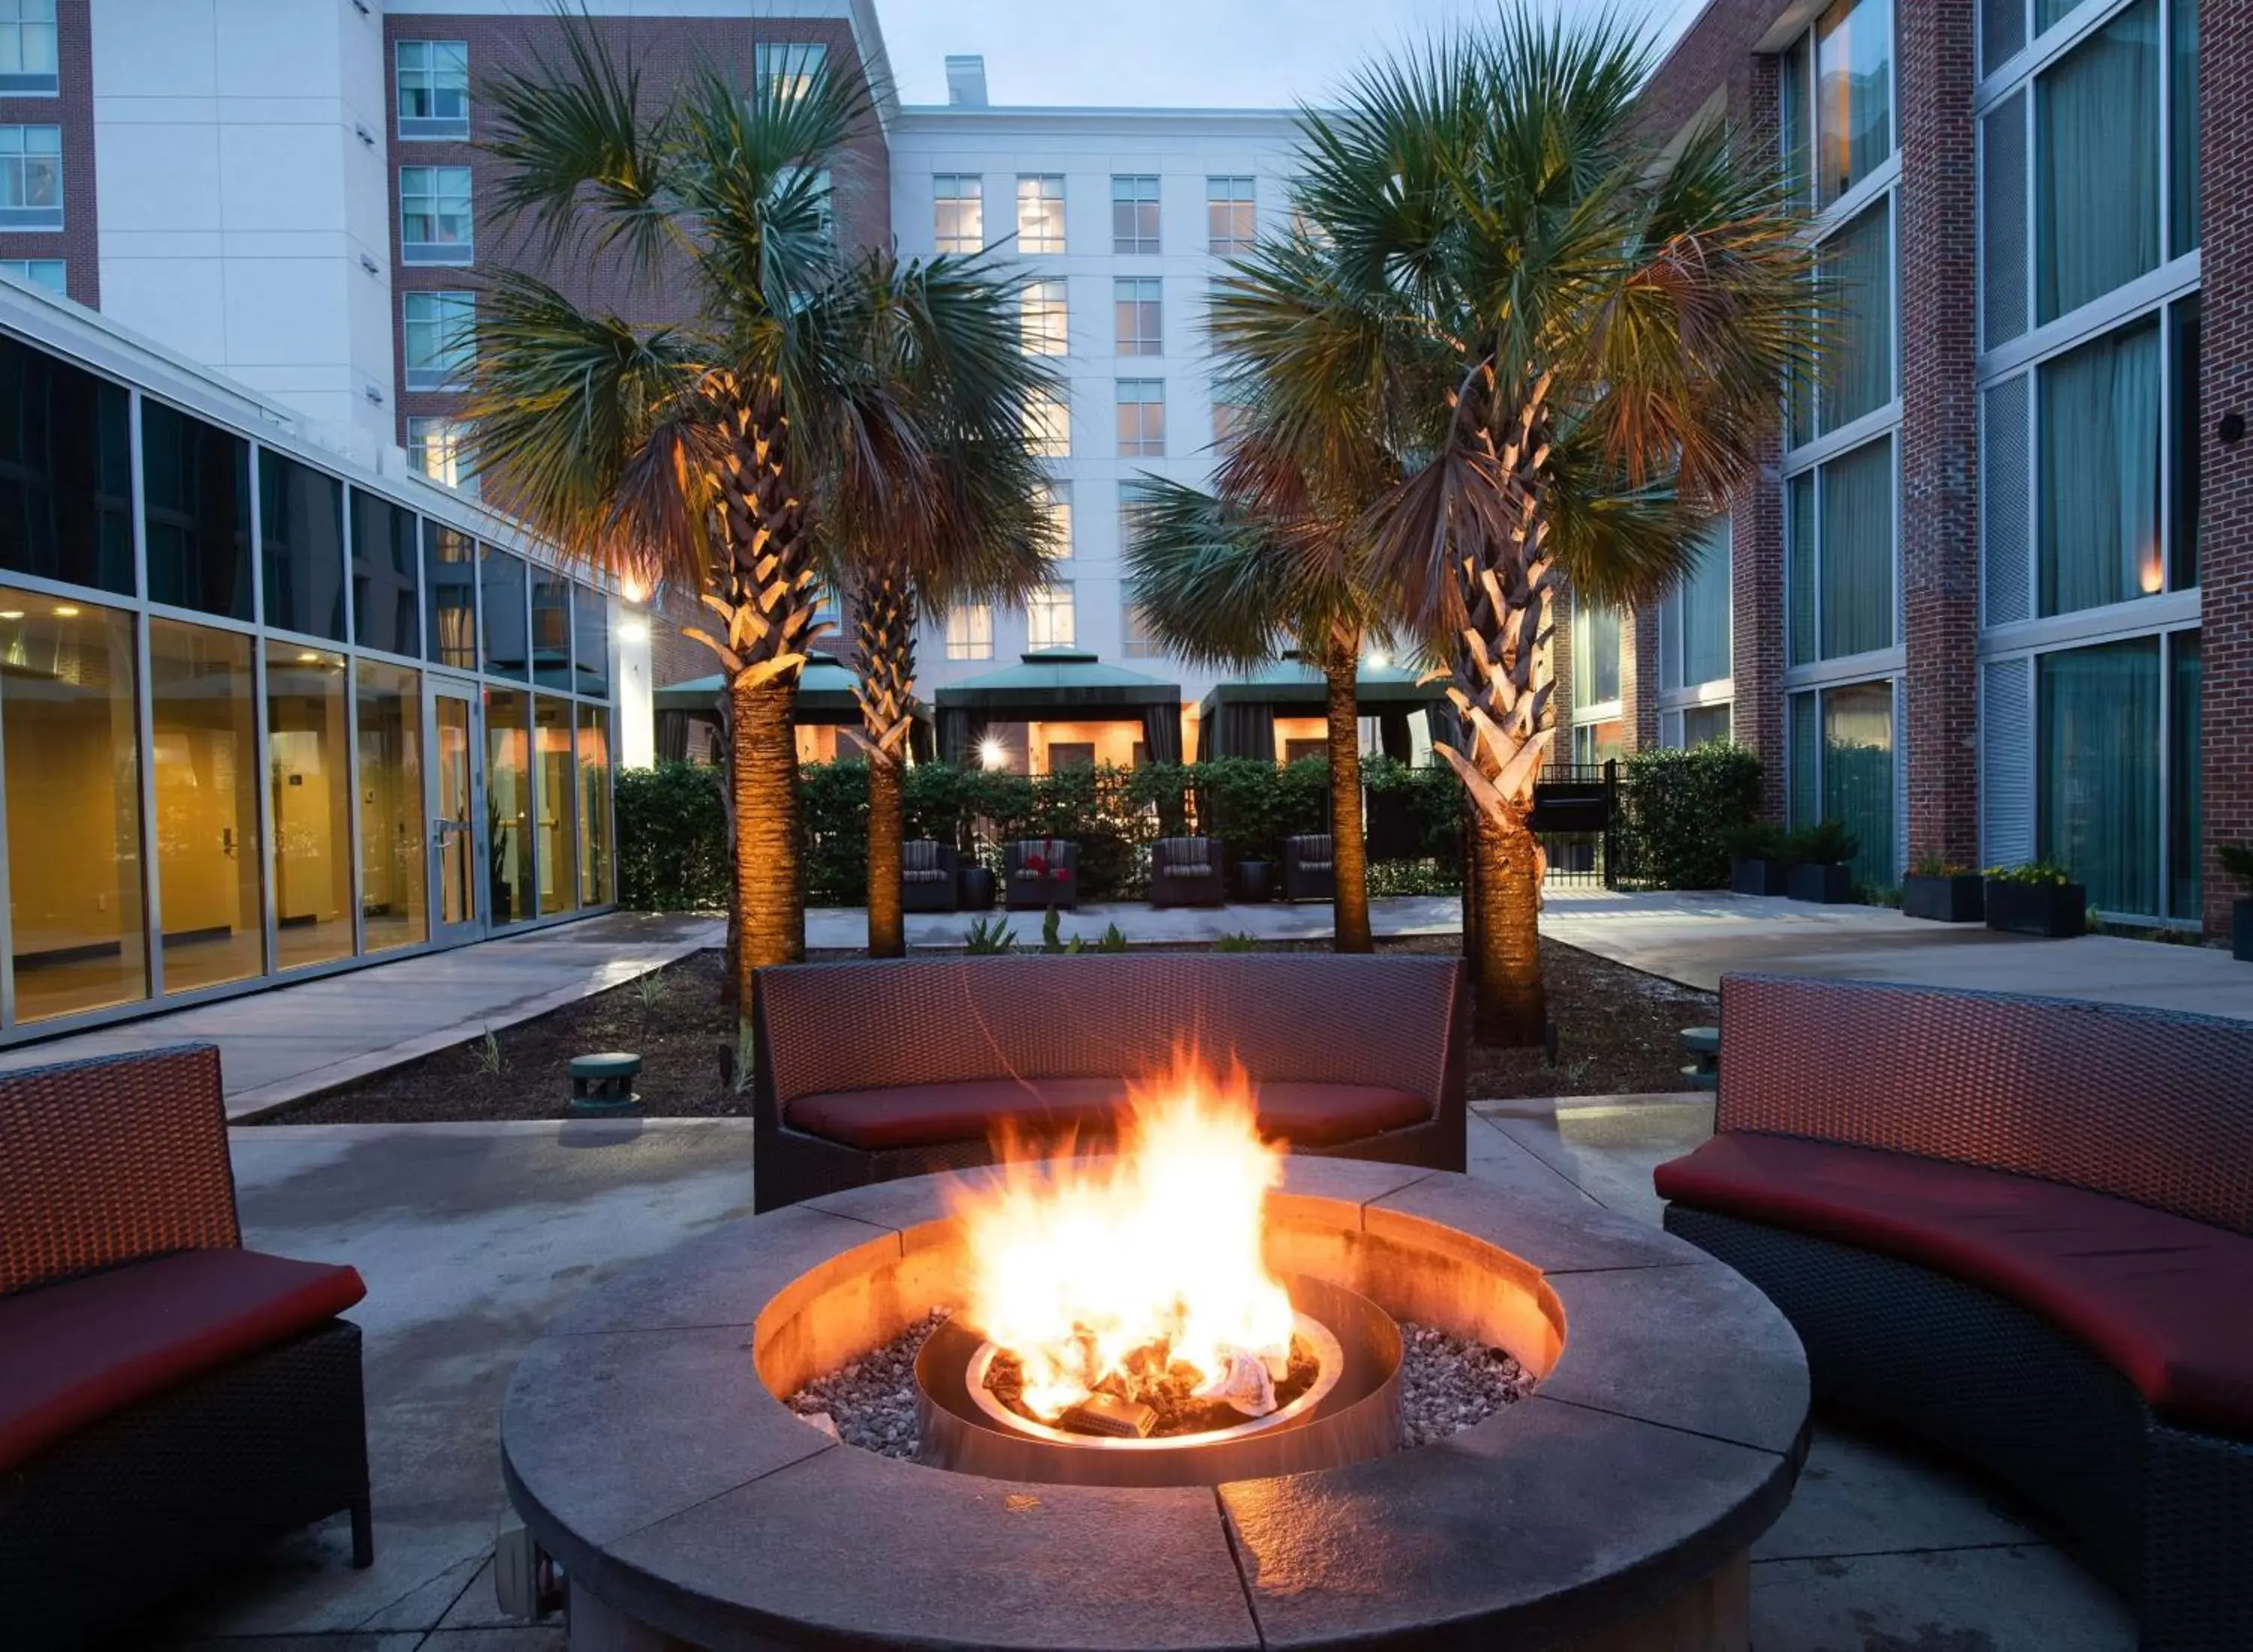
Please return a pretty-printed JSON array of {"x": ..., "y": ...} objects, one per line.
[{"x": 105, "y": 1164}]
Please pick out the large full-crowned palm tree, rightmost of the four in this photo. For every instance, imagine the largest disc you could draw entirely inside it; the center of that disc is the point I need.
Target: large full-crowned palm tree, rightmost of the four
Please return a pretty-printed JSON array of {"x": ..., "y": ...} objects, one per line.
[{"x": 1549, "y": 346}]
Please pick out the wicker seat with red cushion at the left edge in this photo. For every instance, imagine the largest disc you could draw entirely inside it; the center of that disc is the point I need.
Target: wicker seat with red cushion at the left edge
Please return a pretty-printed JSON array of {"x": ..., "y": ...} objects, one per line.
[{"x": 168, "y": 1401}]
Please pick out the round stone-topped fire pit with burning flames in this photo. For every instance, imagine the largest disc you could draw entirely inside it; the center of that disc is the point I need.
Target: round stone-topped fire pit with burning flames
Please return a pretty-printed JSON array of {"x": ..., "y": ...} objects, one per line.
[{"x": 1229, "y": 1473}]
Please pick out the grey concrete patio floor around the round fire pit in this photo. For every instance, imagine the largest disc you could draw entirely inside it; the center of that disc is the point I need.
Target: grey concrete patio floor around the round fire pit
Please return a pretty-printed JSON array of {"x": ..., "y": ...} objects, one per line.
[{"x": 474, "y": 1236}]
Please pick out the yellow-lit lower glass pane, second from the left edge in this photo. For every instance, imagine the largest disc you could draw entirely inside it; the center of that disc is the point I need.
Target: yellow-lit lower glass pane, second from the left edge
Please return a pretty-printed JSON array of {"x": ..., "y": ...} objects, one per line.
[{"x": 206, "y": 806}]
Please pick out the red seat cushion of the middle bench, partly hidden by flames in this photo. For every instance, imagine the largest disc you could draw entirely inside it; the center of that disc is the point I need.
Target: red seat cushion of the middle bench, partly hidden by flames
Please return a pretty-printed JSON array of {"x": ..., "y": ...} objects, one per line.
[{"x": 932, "y": 1114}]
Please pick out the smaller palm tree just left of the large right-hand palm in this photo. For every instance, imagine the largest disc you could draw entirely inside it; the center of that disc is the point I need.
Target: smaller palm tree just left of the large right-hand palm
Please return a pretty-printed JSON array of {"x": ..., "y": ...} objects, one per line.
[{"x": 1220, "y": 583}]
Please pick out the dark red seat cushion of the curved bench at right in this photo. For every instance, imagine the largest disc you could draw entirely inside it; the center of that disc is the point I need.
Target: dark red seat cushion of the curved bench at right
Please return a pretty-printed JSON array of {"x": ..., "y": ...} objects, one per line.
[{"x": 2169, "y": 1302}]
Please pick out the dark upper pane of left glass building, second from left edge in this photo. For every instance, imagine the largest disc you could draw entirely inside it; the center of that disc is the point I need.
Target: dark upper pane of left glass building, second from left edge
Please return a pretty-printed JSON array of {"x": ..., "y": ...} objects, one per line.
[{"x": 197, "y": 501}]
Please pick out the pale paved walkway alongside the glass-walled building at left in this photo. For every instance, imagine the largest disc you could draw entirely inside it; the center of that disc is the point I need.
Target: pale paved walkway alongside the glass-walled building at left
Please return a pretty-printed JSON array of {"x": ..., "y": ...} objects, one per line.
[{"x": 292, "y": 1042}]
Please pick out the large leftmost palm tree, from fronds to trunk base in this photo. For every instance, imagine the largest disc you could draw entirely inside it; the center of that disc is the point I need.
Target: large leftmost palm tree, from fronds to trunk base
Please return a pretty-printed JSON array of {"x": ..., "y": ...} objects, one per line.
[{"x": 709, "y": 450}]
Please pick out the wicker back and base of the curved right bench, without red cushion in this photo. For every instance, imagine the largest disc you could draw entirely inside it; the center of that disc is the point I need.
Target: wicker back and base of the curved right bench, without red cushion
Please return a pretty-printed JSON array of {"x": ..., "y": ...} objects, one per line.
[{"x": 2141, "y": 1105}]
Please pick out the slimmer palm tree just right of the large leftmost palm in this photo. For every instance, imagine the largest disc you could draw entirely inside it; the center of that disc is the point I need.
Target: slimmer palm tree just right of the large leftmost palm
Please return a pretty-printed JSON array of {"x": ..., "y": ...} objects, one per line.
[{"x": 956, "y": 522}]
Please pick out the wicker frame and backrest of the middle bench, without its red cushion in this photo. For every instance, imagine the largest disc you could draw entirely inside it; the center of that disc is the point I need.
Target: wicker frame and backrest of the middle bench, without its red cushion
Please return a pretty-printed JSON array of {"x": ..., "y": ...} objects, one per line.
[{"x": 882, "y": 1024}]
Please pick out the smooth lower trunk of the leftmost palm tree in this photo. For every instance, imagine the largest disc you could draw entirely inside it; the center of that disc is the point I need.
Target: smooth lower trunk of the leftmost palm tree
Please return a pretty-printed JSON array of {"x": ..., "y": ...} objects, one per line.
[{"x": 769, "y": 891}]
